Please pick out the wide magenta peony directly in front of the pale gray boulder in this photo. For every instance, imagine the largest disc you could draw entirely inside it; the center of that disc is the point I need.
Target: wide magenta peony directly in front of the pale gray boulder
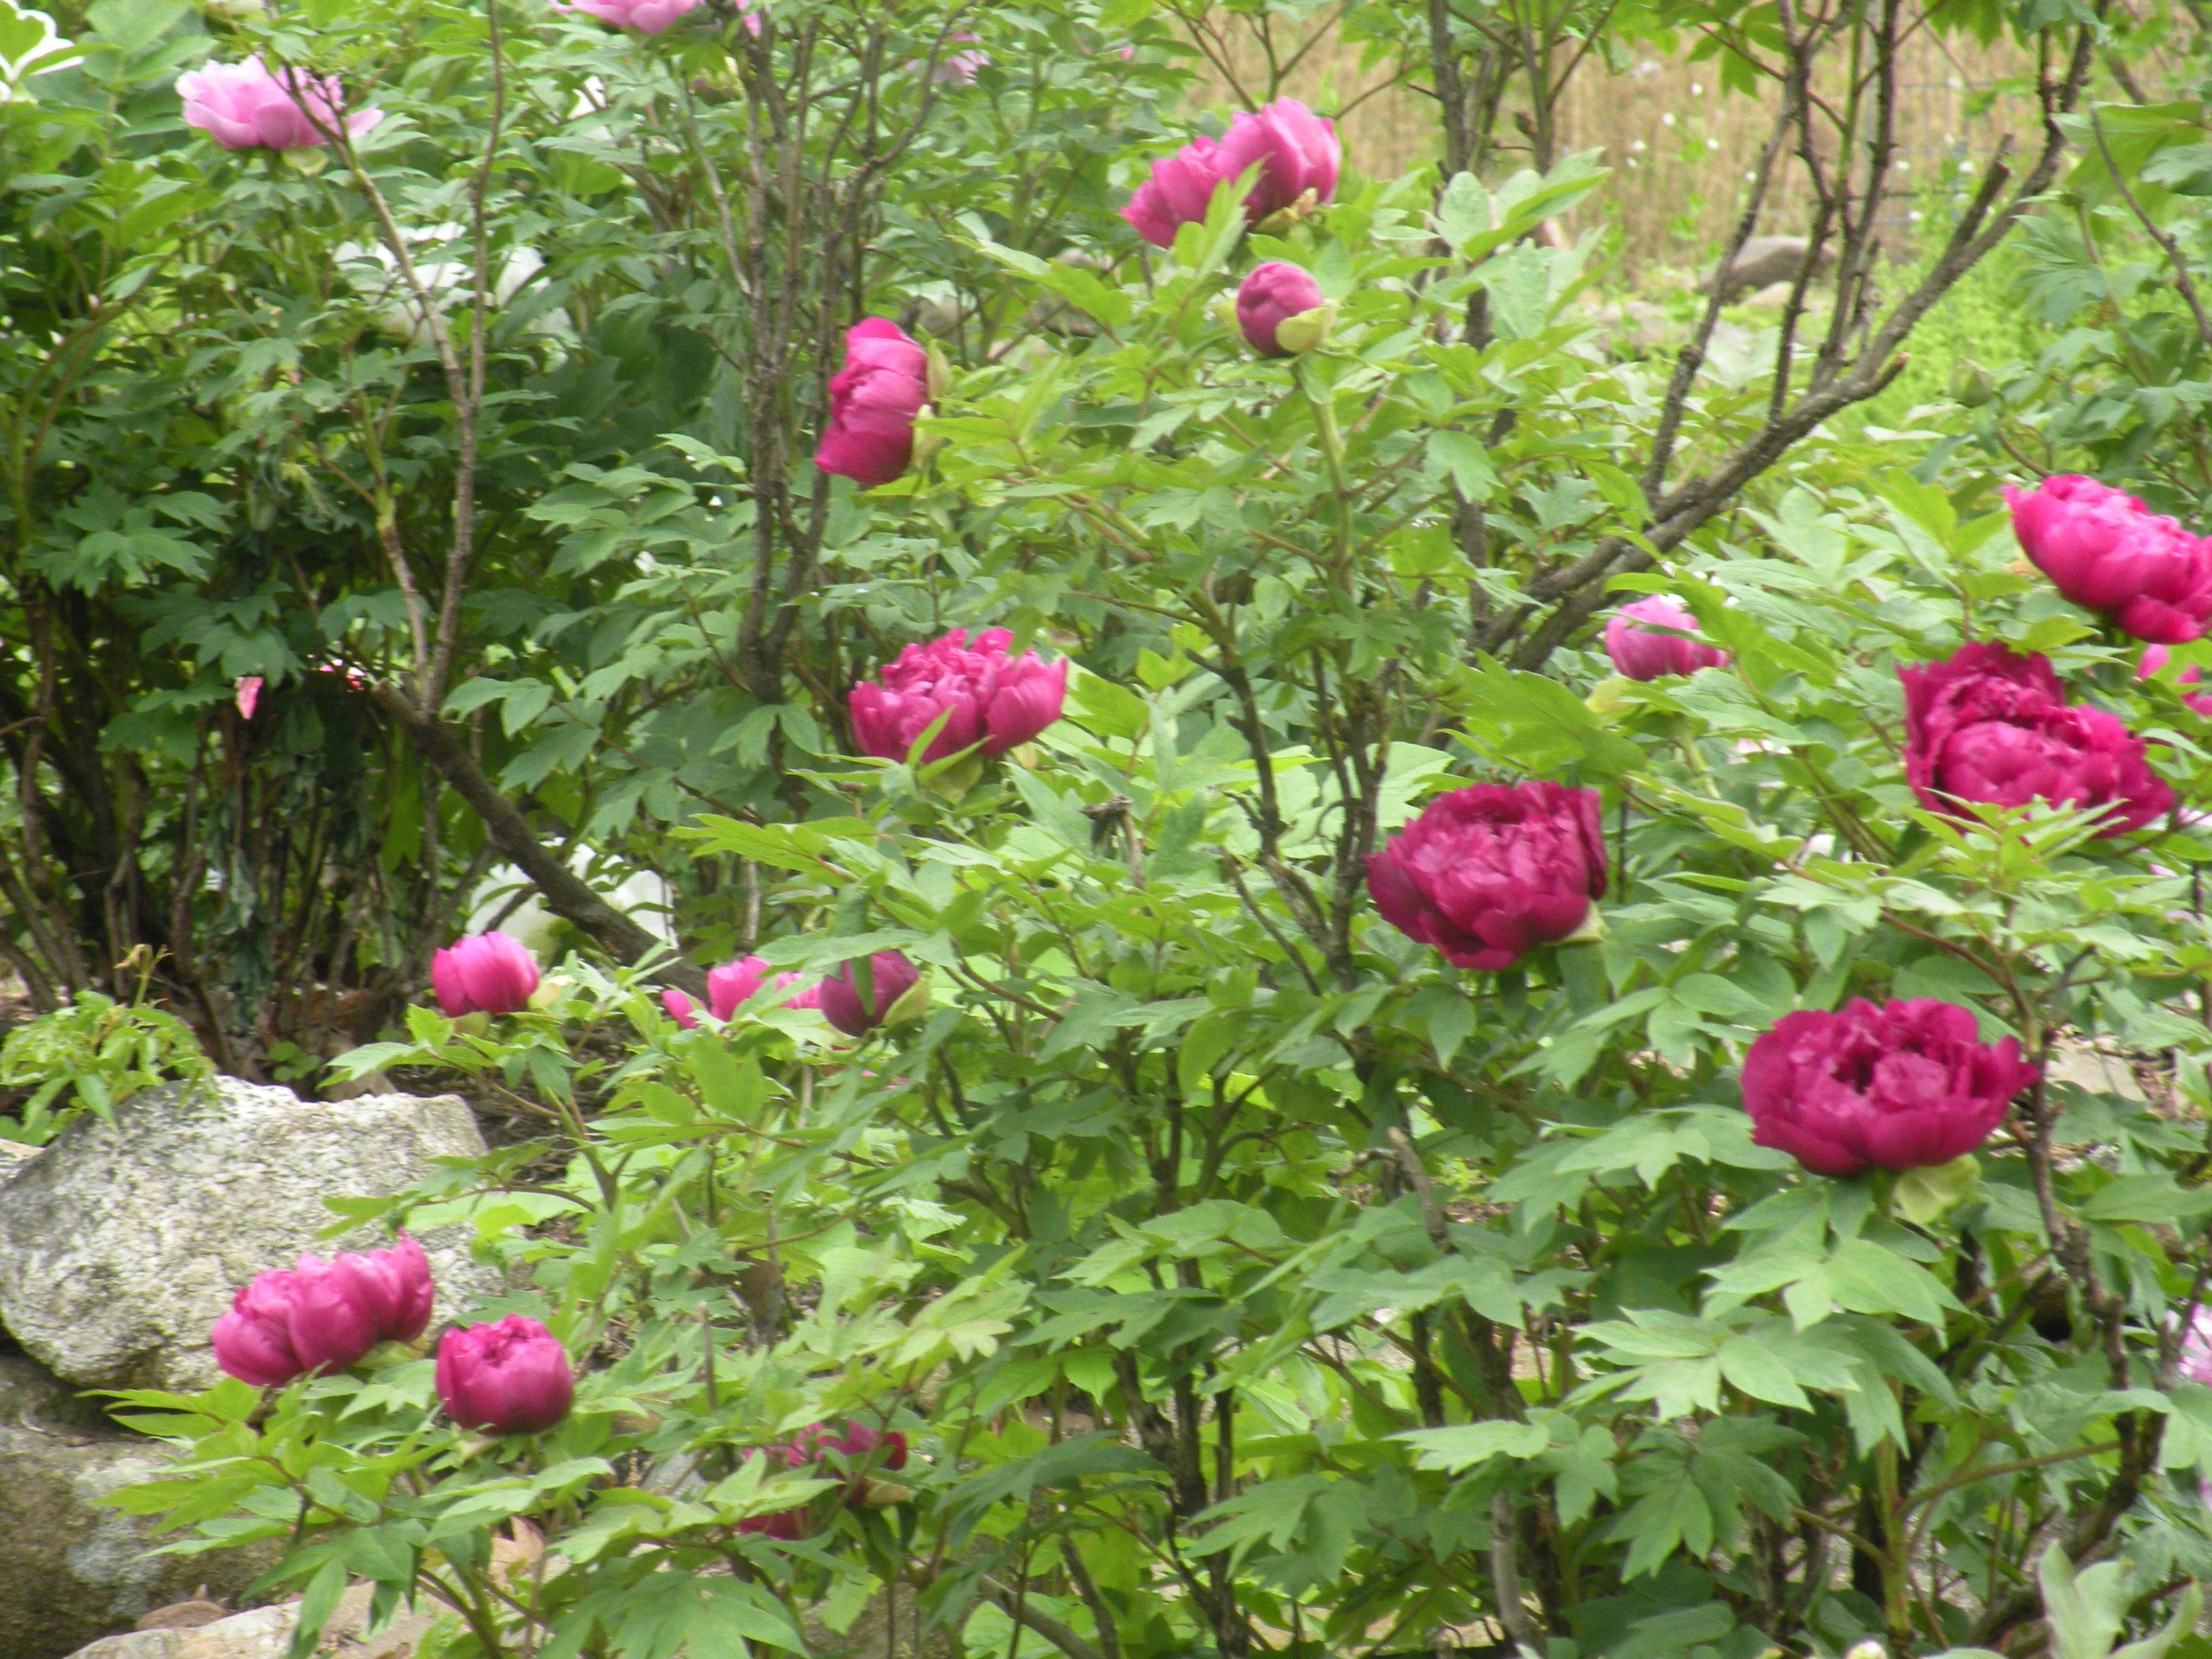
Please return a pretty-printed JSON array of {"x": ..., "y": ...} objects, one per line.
[{"x": 324, "y": 1317}]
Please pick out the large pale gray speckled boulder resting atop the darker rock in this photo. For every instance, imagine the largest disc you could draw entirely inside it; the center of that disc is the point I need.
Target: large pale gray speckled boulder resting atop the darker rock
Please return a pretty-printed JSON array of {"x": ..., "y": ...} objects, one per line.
[{"x": 123, "y": 1244}]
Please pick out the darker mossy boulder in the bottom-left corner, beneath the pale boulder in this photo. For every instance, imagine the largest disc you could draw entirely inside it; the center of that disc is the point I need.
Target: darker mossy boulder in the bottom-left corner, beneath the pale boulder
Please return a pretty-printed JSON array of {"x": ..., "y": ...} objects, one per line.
[{"x": 72, "y": 1569}]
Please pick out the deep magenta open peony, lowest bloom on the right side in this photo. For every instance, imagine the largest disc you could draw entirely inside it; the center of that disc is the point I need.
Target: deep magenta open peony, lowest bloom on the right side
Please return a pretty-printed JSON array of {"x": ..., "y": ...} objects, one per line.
[{"x": 1901, "y": 1087}]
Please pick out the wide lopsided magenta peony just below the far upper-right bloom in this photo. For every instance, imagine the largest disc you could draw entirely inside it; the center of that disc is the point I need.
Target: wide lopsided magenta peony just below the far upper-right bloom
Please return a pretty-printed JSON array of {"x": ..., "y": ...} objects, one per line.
[{"x": 1994, "y": 727}]
